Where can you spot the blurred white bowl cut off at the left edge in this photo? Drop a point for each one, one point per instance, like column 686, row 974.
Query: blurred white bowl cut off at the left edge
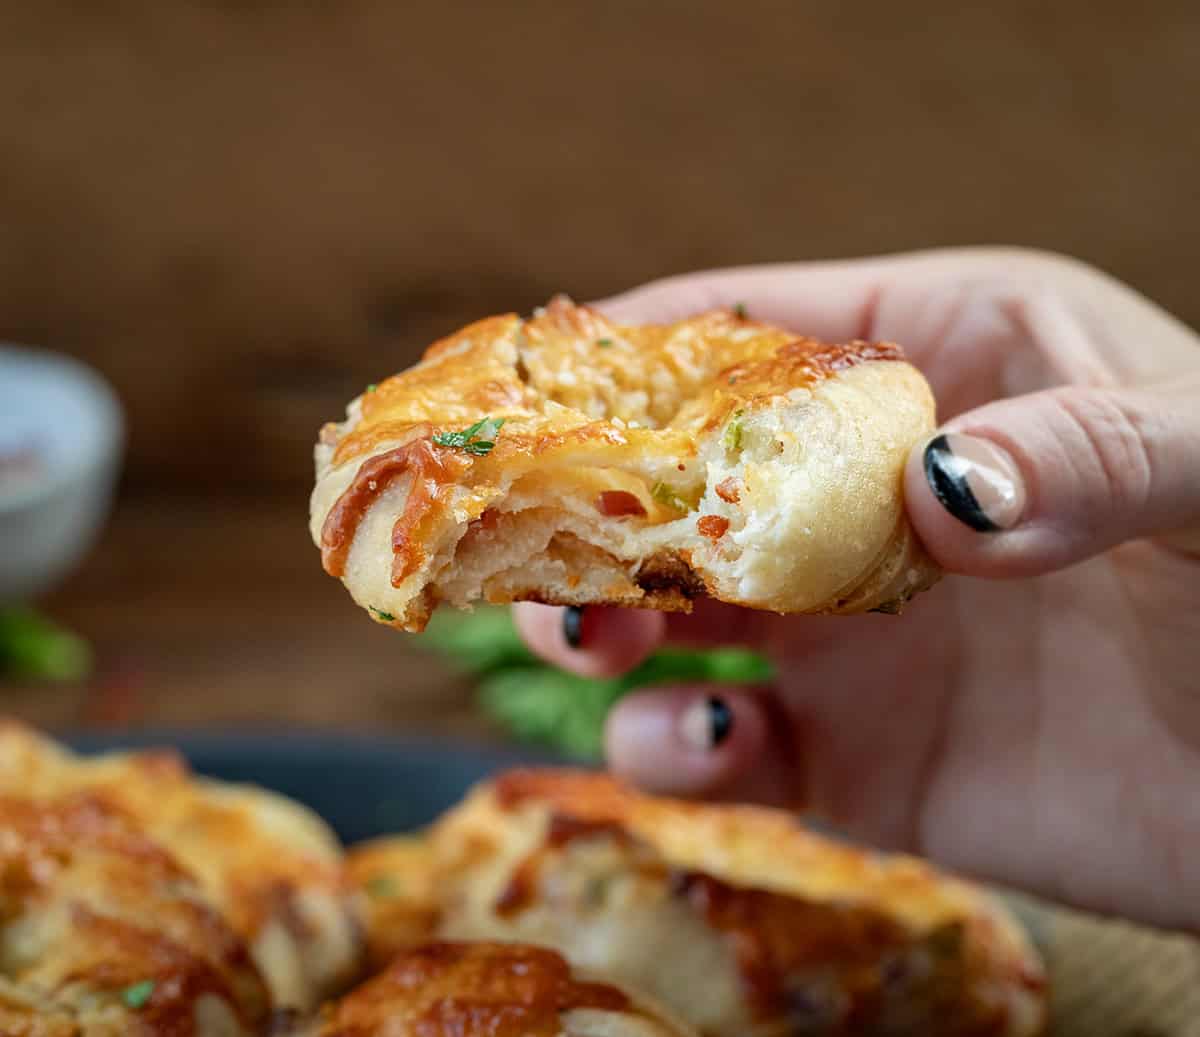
column 61, row 443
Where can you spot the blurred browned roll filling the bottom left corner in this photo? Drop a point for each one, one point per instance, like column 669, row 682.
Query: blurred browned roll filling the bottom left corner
column 104, row 934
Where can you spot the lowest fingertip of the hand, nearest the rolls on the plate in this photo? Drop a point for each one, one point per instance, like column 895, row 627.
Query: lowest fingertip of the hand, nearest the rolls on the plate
column 704, row 742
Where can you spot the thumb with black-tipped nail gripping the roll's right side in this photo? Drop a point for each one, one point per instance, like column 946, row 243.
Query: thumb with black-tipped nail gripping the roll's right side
column 1036, row 483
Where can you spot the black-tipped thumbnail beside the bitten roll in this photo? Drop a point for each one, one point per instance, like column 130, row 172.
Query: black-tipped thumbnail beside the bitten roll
column 976, row 481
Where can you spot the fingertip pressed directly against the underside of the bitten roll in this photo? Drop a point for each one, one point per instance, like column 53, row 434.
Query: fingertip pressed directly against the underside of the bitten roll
column 592, row 643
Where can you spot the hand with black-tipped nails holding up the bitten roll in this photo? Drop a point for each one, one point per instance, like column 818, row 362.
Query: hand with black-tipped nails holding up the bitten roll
column 1041, row 732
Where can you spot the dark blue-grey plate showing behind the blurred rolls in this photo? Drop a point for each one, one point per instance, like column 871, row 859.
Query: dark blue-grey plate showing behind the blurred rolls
column 363, row 787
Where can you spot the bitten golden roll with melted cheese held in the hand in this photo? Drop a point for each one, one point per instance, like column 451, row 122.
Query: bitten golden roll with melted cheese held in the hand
column 569, row 460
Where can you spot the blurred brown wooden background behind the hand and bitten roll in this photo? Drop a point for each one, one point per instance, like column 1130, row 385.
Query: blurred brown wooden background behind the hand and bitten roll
column 242, row 213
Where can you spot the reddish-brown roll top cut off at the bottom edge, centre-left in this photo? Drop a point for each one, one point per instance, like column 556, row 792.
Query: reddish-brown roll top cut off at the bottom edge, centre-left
column 489, row 991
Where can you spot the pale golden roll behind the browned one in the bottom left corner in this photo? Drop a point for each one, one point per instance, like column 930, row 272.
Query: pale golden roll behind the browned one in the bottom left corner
column 271, row 868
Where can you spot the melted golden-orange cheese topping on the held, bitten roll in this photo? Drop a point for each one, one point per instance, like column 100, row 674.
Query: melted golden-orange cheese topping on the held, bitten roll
column 562, row 381
